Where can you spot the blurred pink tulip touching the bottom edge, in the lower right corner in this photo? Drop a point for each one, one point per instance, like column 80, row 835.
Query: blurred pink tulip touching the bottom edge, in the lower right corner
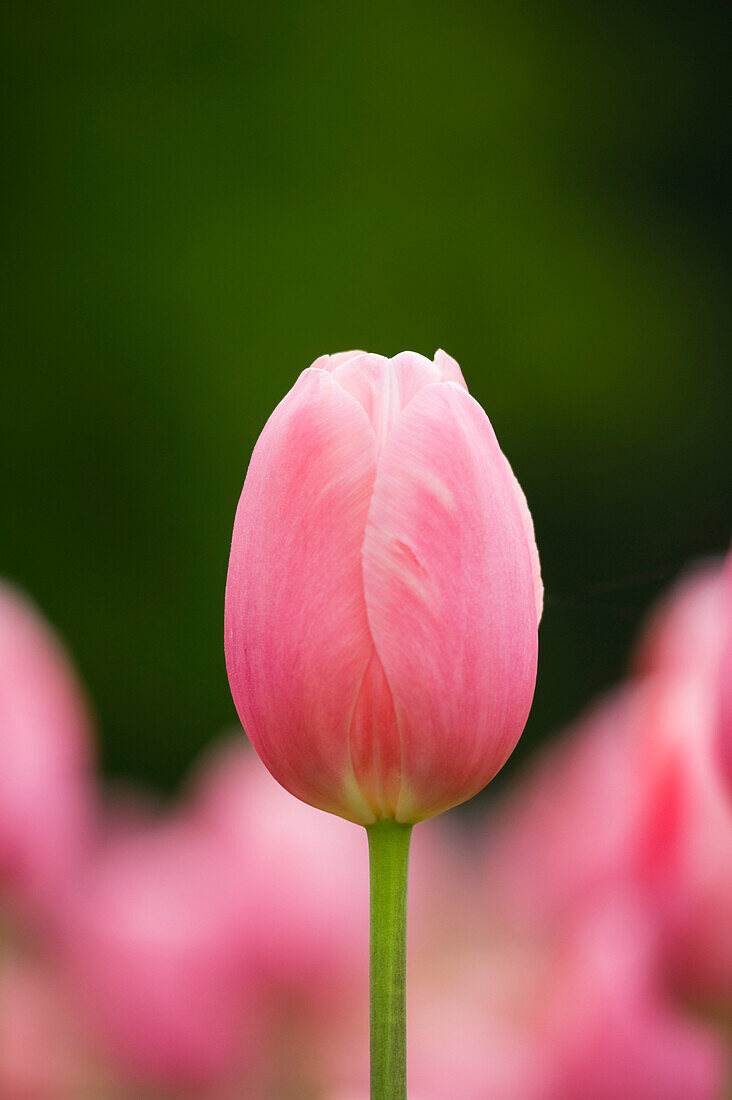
column 609, row 1026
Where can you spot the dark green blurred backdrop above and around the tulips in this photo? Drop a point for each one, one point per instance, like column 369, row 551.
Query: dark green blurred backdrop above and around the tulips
column 200, row 200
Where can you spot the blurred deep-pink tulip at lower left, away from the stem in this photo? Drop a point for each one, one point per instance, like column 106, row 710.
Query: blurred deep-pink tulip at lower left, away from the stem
column 150, row 940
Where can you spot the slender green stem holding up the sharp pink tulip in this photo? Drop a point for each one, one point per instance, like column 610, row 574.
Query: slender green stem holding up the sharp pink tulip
column 389, row 856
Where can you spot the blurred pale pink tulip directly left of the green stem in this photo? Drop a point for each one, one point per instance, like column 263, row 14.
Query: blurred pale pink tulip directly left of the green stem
column 298, row 878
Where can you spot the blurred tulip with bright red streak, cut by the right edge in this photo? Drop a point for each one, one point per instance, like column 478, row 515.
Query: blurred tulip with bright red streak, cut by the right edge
column 685, row 835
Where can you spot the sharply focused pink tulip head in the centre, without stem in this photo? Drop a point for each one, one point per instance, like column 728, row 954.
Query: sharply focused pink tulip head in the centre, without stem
column 384, row 592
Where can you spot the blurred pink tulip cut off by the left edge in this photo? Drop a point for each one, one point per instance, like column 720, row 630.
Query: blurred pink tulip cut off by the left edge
column 46, row 784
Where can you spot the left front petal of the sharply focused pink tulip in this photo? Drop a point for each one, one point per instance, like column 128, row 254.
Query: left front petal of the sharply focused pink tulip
column 298, row 640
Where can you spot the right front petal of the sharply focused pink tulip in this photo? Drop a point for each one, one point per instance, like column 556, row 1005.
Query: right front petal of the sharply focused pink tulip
column 451, row 597
